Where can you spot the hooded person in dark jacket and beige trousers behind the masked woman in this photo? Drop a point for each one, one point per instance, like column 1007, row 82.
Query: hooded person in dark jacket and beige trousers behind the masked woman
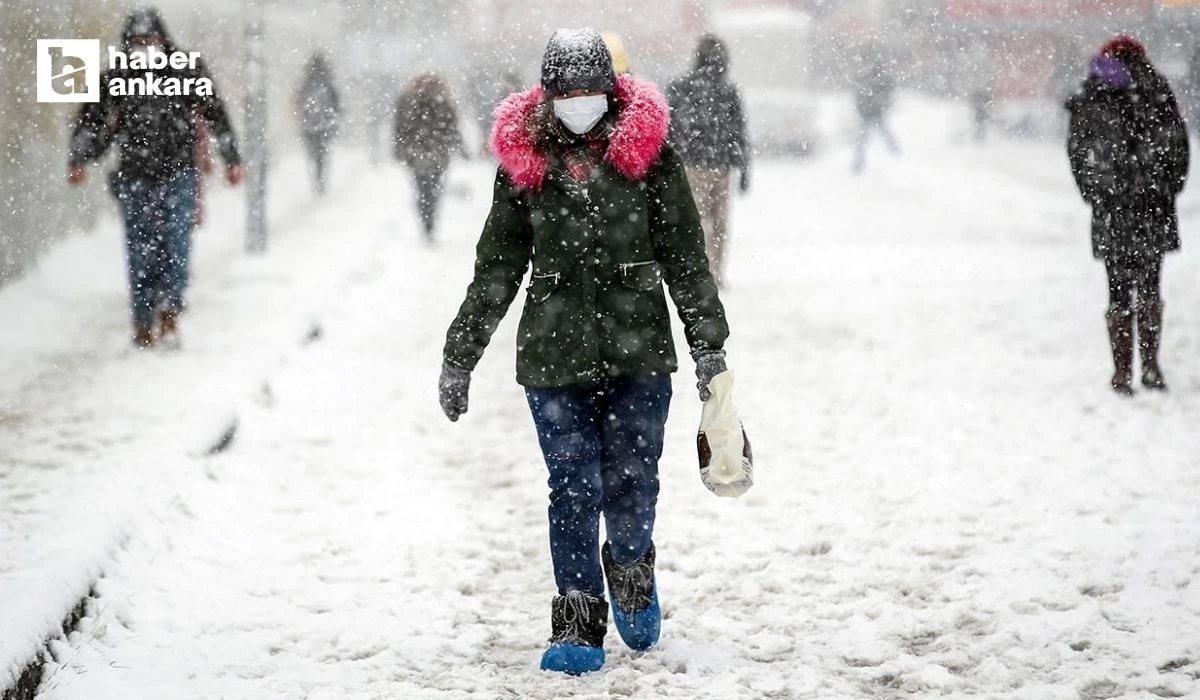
column 709, row 130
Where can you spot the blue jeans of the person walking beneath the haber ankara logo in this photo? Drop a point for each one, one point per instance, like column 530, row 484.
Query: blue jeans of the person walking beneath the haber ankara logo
column 159, row 223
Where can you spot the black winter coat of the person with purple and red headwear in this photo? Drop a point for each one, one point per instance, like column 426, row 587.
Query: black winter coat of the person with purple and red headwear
column 1130, row 155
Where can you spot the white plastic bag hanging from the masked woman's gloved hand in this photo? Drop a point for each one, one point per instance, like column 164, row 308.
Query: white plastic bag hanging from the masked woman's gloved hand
column 727, row 464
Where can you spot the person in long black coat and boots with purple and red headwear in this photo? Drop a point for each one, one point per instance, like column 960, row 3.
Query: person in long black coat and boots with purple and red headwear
column 1129, row 149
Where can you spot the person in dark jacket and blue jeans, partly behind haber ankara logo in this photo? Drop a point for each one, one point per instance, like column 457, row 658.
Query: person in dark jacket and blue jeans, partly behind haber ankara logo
column 157, row 177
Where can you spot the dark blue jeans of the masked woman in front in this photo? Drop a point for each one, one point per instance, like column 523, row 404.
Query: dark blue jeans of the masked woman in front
column 602, row 445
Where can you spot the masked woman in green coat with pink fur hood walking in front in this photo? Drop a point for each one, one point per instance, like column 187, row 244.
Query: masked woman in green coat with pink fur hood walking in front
column 591, row 194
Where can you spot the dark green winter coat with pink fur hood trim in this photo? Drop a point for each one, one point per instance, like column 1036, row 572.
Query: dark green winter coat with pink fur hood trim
column 601, row 252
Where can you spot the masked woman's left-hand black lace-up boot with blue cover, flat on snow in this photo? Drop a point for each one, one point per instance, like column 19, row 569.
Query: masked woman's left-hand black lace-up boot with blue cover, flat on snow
column 579, row 624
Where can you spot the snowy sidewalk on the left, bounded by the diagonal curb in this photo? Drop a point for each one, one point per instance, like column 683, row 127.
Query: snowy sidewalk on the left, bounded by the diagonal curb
column 93, row 433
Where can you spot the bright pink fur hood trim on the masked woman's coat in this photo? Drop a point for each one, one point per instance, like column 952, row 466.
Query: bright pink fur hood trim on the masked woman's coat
column 634, row 147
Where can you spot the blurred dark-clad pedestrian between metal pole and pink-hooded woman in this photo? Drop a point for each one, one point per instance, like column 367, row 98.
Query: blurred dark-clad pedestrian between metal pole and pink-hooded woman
column 425, row 139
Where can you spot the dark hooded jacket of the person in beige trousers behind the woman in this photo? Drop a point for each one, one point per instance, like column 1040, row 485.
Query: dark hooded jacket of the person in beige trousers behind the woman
column 709, row 127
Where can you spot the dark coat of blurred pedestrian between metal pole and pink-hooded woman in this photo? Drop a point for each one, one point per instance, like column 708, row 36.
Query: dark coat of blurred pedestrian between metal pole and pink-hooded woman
column 427, row 128
